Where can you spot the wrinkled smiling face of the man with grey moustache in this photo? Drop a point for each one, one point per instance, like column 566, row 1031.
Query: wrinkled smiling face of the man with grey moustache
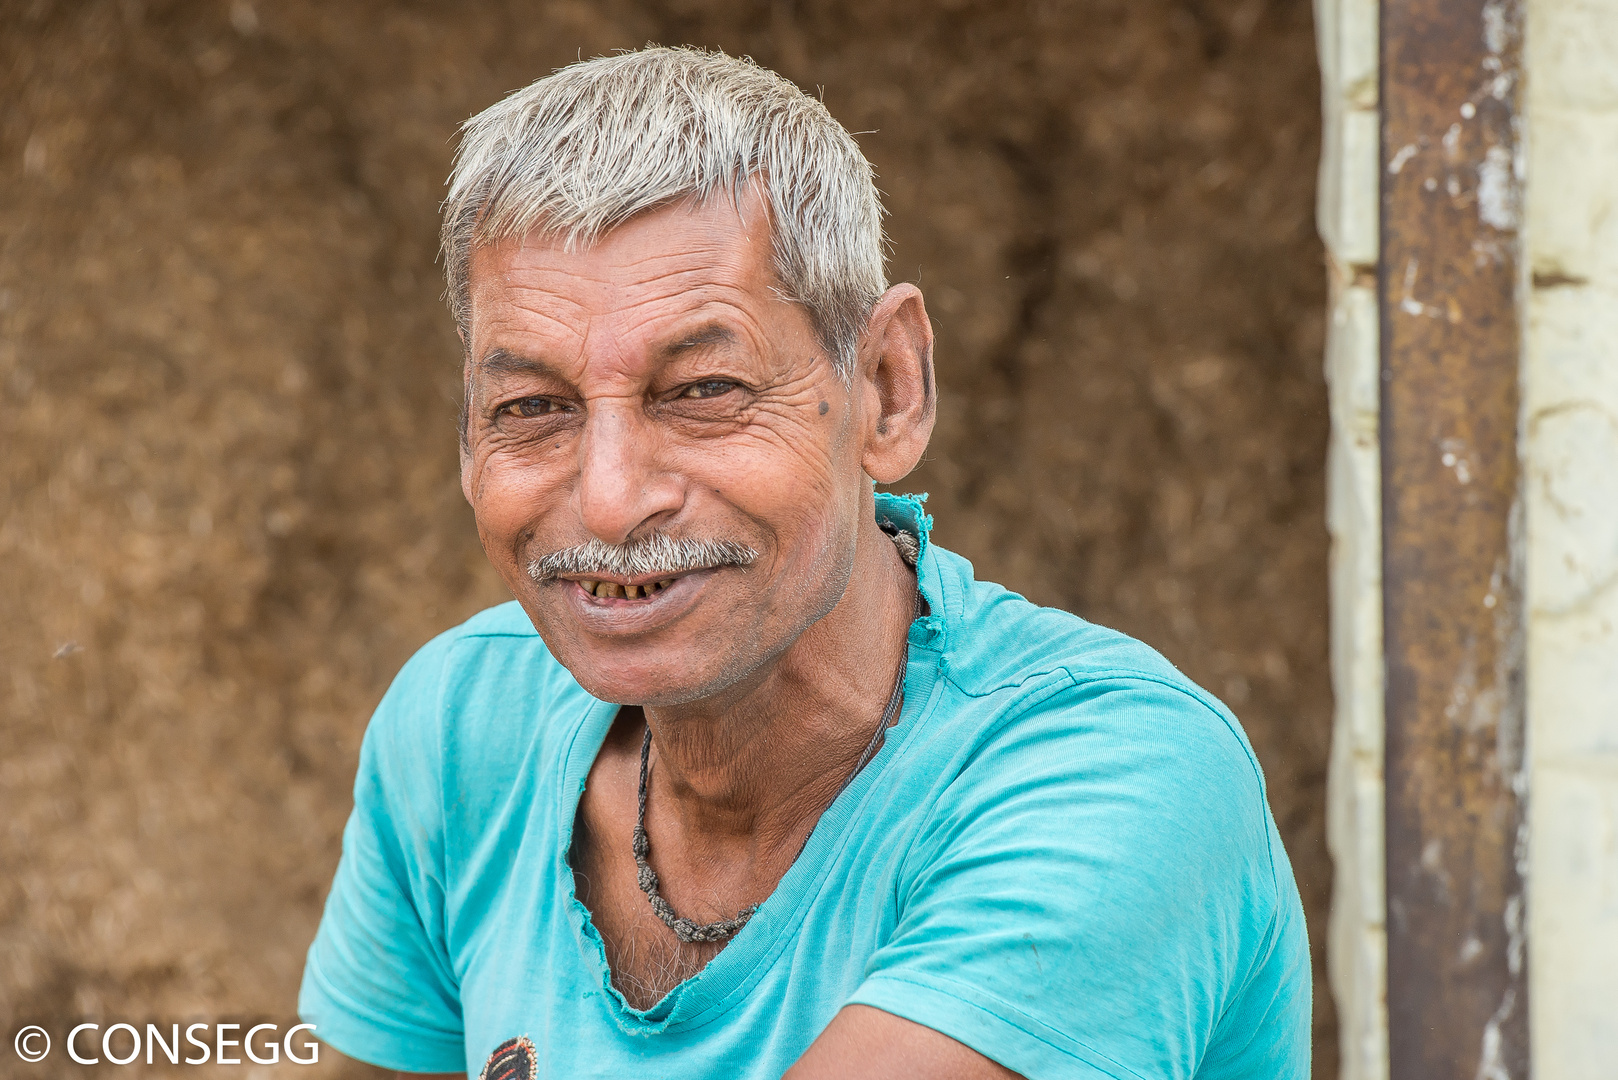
column 656, row 385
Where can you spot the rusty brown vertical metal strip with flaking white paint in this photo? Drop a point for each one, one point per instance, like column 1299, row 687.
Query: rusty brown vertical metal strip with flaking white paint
column 1449, row 281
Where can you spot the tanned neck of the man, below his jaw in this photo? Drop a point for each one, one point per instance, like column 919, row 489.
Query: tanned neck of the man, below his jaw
column 756, row 767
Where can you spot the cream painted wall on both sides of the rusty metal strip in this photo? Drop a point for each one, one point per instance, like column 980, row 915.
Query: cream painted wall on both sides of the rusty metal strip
column 1570, row 381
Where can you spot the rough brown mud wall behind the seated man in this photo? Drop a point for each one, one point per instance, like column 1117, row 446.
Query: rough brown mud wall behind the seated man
column 229, row 504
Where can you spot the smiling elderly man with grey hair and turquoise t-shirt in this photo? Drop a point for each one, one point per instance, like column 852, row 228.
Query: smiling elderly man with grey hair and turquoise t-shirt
column 753, row 780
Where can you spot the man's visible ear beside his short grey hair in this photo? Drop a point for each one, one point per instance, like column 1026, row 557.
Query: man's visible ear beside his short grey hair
column 896, row 383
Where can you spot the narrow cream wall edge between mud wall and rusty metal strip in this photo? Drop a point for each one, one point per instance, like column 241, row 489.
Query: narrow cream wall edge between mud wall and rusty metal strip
column 1349, row 216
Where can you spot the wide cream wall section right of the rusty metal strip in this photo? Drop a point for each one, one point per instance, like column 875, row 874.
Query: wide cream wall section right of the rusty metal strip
column 1572, row 493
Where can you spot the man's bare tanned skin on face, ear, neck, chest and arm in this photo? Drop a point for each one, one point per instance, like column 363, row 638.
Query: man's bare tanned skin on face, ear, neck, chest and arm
column 659, row 381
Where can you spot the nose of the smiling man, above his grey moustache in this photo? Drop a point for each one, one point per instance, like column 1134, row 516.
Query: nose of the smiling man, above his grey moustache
column 622, row 487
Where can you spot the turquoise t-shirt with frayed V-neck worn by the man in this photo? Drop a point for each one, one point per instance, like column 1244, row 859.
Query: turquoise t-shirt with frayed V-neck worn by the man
column 1062, row 857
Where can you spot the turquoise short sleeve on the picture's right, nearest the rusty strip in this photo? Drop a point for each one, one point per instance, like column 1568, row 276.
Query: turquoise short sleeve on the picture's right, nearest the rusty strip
column 1091, row 893
